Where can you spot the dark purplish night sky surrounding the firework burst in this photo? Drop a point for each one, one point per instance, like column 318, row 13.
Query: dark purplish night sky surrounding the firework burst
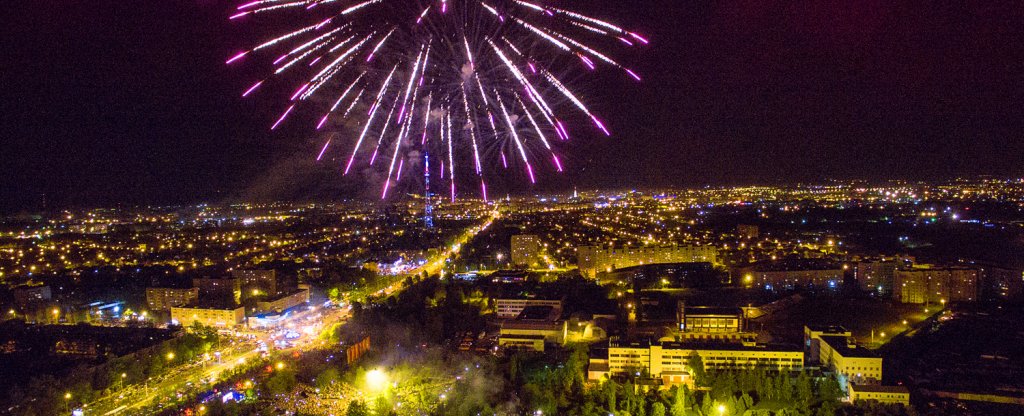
column 130, row 102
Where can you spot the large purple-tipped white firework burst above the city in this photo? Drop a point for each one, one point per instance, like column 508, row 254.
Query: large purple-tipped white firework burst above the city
column 443, row 79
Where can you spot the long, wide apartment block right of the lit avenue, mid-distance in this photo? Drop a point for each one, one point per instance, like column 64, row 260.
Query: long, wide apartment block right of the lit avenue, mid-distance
column 594, row 260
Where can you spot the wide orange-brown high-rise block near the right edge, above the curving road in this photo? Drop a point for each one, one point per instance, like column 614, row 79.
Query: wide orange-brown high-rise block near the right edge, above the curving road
column 936, row 285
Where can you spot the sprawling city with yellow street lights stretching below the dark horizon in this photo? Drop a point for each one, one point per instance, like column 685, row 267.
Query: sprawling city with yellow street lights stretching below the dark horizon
column 848, row 298
